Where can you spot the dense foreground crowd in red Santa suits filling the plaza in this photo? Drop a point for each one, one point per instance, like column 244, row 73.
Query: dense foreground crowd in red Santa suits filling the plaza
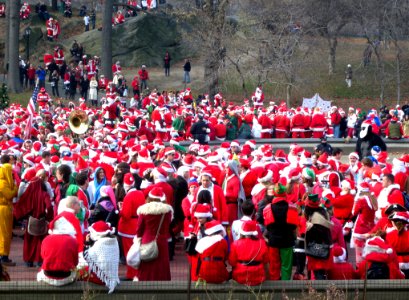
column 113, row 184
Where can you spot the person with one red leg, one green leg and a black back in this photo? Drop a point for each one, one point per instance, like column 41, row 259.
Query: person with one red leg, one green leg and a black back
column 281, row 220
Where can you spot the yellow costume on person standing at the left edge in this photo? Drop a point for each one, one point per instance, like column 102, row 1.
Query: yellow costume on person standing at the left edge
column 8, row 190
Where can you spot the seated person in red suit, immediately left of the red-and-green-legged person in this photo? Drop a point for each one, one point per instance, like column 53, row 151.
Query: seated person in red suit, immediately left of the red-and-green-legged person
column 248, row 256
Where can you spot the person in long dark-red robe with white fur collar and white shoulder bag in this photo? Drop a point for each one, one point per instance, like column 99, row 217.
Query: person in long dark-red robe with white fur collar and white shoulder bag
column 152, row 233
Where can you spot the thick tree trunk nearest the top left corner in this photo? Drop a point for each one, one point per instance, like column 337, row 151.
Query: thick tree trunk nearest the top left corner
column 13, row 79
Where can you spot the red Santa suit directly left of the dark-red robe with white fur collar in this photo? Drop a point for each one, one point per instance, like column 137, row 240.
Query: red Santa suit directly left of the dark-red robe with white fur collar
column 128, row 221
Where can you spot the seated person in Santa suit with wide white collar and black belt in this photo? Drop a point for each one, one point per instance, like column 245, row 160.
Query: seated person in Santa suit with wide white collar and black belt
column 212, row 252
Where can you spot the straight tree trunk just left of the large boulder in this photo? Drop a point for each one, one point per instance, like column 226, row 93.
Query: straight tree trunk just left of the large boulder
column 106, row 42
